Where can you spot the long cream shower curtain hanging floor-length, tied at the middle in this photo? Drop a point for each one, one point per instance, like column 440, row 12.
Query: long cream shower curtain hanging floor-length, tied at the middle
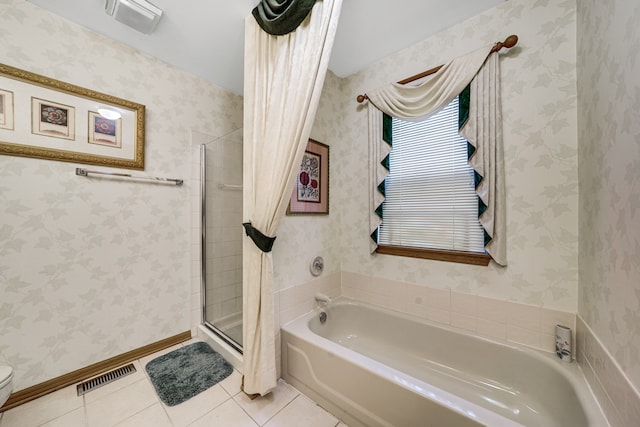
column 283, row 76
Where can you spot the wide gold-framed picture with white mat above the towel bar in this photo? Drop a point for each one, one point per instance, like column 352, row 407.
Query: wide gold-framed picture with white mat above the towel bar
column 49, row 119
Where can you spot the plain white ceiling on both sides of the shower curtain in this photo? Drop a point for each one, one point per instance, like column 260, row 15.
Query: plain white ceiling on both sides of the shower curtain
column 205, row 37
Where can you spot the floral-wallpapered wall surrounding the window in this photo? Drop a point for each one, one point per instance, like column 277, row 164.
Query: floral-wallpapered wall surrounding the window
column 539, row 108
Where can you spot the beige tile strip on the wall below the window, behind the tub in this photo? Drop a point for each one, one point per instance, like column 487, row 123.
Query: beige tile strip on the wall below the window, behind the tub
column 529, row 325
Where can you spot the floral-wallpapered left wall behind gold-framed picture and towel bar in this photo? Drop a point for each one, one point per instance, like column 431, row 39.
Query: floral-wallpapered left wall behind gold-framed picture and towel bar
column 92, row 268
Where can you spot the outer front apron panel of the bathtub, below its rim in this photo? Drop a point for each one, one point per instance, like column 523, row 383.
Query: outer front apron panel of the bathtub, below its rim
column 352, row 393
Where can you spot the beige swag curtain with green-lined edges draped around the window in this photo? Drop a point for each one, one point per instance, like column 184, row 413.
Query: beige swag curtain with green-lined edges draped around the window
column 416, row 102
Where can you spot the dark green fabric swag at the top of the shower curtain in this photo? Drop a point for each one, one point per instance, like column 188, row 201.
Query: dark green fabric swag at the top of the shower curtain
column 280, row 17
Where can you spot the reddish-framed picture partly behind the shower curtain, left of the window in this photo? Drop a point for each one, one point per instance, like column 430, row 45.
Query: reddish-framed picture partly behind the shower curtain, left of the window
column 310, row 193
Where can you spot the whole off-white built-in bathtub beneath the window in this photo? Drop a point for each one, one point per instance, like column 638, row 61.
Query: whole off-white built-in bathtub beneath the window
column 373, row 367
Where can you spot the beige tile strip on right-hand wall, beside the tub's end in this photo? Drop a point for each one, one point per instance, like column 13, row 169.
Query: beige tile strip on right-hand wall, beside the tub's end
column 618, row 398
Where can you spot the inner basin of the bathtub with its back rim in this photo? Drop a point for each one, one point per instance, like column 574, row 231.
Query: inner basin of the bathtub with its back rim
column 526, row 386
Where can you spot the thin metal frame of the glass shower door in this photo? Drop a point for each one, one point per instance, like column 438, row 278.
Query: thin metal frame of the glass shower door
column 203, row 254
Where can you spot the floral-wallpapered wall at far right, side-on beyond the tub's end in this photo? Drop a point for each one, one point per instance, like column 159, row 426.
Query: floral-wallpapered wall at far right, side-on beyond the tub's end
column 609, row 157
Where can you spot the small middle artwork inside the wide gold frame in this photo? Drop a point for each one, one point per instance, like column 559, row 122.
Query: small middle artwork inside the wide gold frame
column 52, row 119
